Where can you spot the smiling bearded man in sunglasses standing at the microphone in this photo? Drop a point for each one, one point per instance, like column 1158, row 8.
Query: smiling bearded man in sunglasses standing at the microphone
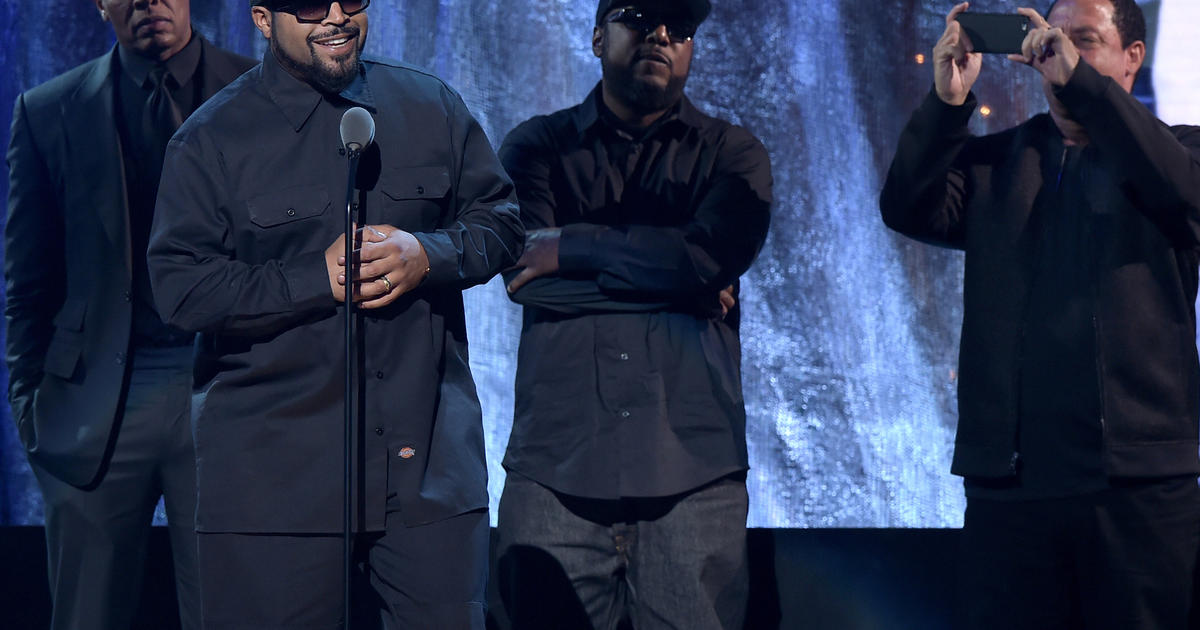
column 248, row 251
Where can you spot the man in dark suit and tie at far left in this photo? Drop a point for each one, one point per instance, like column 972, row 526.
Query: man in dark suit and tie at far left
column 99, row 386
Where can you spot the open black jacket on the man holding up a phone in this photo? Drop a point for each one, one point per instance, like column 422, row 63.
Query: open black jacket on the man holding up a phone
column 1143, row 200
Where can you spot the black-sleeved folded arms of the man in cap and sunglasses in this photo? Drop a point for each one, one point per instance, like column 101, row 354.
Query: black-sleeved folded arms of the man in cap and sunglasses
column 647, row 268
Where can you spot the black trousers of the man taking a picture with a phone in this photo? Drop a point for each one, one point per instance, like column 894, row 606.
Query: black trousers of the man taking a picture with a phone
column 1120, row 560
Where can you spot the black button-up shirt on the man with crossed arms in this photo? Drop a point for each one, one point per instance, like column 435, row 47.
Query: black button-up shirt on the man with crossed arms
column 629, row 381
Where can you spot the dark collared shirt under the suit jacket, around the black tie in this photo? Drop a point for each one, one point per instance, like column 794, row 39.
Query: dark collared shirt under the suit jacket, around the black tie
column 143, row 165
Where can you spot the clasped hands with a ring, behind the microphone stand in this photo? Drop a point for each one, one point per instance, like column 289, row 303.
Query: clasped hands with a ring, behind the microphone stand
column 391, row 263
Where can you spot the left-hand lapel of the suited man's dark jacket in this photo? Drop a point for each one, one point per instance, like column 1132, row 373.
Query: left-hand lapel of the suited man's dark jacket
column 92, row 136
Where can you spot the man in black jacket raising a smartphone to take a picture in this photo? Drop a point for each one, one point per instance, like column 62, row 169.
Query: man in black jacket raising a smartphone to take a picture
column 1078, row 395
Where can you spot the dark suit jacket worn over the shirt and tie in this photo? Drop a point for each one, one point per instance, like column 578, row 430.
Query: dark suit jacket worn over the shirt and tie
column 68, row 263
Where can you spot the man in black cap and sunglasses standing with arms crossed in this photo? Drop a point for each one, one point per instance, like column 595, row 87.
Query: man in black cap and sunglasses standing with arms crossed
column 626, row 496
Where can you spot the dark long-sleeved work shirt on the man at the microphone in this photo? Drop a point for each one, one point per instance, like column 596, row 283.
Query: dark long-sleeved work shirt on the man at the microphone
column 253, row 195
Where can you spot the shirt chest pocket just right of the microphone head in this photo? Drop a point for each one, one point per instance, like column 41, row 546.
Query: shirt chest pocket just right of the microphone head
column 415, row 199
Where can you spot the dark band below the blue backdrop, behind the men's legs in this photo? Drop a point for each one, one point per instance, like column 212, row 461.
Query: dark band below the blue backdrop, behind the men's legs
column 801, row 579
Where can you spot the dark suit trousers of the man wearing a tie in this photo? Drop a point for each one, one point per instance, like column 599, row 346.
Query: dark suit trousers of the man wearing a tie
column 97, row 537
